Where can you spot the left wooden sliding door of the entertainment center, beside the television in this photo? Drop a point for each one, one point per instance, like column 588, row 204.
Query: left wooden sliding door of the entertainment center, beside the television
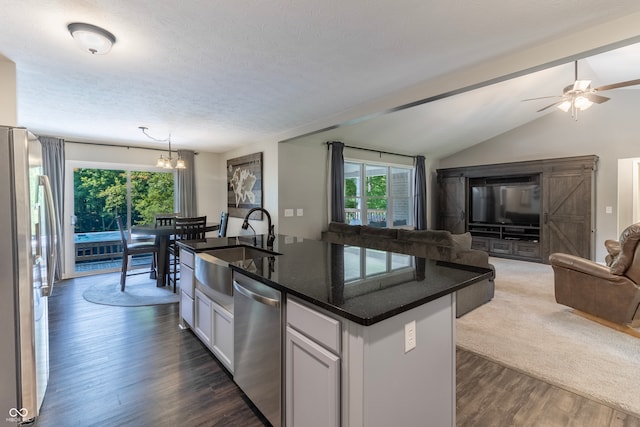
column 451, row 204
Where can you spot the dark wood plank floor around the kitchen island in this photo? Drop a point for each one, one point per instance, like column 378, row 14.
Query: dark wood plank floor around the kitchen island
column 133, row 366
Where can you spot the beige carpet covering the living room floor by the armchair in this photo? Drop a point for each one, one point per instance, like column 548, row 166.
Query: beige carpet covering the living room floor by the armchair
column 525, row 329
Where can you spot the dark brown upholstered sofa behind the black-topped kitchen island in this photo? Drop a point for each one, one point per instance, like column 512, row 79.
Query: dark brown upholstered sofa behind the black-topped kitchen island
column 434, row 244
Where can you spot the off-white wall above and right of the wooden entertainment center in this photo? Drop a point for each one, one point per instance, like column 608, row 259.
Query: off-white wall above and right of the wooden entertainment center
column 610, row 131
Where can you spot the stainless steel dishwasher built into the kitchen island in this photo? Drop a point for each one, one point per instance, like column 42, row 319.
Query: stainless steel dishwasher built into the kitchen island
column 258, row 344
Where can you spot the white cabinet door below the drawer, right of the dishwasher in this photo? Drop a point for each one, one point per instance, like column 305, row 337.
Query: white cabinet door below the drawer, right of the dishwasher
column 312, row 383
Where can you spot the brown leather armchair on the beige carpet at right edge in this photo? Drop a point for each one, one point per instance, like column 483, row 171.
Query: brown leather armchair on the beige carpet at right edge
column 610, row 292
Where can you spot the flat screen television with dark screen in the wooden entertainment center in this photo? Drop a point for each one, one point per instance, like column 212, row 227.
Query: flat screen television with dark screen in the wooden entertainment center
column 510, row 203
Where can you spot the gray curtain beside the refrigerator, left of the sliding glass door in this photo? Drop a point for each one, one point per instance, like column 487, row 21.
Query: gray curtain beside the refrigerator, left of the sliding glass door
column 53, row 167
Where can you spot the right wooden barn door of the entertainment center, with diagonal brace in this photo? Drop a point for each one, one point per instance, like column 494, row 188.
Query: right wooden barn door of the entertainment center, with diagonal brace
column 567, row 219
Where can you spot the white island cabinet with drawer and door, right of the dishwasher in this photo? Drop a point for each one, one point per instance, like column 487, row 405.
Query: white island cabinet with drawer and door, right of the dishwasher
column 312, row 386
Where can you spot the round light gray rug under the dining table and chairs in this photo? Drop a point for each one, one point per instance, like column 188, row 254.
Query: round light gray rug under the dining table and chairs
column 139, row 291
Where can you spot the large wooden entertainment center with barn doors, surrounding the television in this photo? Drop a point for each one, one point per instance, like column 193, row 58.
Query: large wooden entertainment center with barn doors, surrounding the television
column 524, row 210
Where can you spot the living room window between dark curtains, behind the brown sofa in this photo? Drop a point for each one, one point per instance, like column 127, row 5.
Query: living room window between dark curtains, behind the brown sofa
column 378, row 195
